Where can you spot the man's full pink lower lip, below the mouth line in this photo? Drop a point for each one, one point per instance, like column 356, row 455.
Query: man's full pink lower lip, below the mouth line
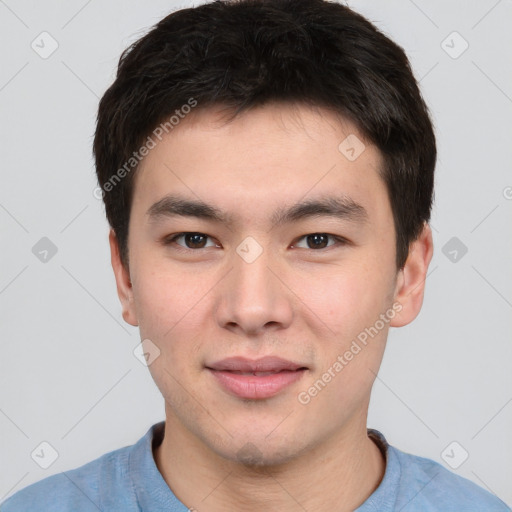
column 254, row 387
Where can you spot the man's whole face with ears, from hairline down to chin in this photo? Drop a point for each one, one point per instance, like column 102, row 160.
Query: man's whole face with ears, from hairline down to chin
column 270, row 302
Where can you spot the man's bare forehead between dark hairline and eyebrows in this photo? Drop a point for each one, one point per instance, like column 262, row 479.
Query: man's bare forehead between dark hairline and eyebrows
column 267, row 156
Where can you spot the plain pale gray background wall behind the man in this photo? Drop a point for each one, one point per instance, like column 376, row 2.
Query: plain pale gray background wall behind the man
column 68, row 375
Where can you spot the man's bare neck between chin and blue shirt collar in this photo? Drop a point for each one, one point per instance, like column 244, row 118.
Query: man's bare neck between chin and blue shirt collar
column 338, row 474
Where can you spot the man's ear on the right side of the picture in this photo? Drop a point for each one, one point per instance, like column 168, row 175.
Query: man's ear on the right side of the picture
column 410, row 285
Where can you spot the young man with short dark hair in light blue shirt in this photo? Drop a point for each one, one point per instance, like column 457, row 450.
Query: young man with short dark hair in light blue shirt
column 267, row 172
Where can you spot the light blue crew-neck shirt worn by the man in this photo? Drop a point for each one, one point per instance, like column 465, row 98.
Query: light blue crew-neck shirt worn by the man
column 127, row 480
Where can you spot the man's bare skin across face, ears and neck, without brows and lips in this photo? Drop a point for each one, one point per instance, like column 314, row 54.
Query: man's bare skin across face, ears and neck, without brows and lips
column 295, row 301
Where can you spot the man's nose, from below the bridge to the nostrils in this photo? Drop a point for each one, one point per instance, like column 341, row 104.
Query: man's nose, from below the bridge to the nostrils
column 253, row 298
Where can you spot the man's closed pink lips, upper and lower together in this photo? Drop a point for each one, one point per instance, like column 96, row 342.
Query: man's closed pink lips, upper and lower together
column 275, row 374
